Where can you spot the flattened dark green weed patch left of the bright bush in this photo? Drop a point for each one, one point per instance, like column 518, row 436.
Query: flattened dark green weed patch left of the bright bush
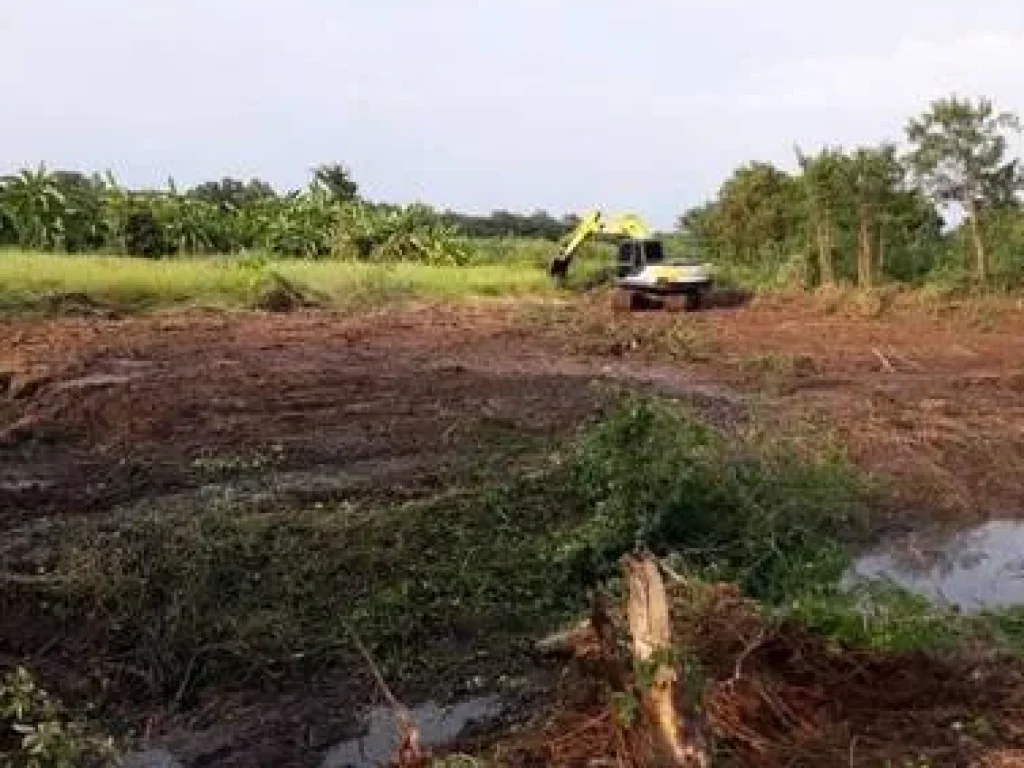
column 230, row 593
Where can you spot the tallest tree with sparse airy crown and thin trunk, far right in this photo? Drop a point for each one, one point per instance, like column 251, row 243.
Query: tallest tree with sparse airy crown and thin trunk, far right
column 960, row 155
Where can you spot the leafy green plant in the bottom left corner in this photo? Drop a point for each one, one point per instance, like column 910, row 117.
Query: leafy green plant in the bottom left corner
column 36, row 733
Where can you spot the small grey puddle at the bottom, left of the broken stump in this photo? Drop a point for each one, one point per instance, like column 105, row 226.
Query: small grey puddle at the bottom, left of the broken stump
column 438, row 727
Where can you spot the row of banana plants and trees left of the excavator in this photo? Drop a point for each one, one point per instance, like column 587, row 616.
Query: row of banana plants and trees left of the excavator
column 74, row 212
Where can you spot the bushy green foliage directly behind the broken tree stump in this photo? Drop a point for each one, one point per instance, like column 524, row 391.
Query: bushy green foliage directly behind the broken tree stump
column 761, row 515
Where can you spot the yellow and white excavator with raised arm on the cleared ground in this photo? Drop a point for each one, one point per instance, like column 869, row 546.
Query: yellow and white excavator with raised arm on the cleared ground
column 644, row 277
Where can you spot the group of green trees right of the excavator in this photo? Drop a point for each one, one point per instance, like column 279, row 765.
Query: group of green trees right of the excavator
column 876, row 212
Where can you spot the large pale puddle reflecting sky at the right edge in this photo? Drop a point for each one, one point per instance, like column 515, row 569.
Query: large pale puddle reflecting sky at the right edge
column 971, row 570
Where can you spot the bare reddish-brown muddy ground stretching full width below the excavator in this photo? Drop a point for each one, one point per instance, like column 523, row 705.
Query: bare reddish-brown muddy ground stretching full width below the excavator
column 103, row 415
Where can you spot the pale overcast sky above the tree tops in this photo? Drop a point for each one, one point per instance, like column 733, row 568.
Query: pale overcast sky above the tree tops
column 565, row 105
